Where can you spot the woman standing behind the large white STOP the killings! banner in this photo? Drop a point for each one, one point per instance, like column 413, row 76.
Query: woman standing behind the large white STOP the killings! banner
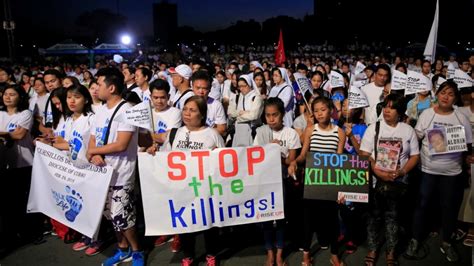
column 195, row 135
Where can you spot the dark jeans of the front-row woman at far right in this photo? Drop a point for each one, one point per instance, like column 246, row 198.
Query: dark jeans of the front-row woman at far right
column 448, row 191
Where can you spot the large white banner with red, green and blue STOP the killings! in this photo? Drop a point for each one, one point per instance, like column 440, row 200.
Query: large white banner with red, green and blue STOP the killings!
column 189, row 191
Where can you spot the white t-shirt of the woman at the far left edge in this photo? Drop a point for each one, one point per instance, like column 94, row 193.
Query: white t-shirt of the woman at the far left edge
column 21, row 154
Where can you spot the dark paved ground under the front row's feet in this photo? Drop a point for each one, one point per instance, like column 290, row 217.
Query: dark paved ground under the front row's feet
column 238, row 250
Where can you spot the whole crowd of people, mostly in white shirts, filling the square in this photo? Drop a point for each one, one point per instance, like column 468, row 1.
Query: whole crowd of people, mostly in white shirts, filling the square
column 242, row 104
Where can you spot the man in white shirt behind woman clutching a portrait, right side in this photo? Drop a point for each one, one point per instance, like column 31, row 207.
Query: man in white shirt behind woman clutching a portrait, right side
column 374, row 90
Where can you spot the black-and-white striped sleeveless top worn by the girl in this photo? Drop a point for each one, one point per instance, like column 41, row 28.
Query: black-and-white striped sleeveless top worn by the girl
column 324, row 141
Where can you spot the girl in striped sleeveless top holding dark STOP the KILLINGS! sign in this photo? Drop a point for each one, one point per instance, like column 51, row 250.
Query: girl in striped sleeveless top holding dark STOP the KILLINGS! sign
column 328, row 138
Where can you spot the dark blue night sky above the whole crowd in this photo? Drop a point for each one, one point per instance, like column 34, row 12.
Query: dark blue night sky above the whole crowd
column 48, row 21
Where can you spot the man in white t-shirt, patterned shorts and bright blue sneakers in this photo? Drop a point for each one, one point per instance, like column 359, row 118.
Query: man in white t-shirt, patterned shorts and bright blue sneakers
column 115, row 144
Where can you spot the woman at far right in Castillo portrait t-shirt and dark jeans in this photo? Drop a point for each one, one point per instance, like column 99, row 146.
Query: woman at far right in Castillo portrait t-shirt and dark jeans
column 441, row 173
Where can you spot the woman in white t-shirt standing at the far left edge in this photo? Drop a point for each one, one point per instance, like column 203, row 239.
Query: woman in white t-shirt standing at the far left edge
column 15, row 125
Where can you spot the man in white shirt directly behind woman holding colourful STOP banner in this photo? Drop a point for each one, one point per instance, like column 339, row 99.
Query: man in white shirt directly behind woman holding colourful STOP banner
column 215, row 111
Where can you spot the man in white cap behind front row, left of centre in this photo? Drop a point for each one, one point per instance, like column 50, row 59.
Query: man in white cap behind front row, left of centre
column 180, row 76
